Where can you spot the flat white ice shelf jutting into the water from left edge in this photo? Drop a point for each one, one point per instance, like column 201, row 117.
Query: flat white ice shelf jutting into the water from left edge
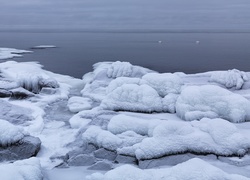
column 8, row 53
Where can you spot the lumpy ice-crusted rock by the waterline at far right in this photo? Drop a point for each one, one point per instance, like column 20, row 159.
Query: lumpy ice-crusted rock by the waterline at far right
column 231, row 78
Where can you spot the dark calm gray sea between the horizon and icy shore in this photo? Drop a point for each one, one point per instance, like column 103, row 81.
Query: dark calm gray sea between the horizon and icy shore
column 77, row 51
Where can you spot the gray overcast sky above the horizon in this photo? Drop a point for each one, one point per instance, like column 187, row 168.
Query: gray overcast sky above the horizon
column 125, row 14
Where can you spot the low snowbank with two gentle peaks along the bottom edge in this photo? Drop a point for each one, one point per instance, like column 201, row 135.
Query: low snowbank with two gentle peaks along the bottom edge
column 195, row 169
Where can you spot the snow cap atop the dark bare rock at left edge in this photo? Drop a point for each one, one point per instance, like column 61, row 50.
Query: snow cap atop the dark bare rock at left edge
column 9, row 134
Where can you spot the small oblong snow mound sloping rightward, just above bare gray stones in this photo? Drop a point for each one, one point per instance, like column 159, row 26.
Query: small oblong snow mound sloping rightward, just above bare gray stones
column 102, row 138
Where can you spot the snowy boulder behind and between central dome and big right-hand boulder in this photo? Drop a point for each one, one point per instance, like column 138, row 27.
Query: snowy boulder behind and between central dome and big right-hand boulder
column 164, row 83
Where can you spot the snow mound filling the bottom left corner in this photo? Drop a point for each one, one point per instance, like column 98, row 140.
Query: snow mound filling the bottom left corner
column 29, row 169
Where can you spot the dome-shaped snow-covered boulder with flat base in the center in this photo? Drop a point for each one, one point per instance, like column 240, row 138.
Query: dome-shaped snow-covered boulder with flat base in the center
column 132, row 97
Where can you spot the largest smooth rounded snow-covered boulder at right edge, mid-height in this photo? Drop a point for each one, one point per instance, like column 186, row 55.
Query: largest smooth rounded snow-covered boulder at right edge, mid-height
column 196, row 102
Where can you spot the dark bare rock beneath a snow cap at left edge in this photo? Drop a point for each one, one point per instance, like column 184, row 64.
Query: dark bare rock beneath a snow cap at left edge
column 25, row 148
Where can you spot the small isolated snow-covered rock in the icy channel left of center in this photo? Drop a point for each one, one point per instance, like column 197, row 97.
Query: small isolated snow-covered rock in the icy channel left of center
column 77, row 104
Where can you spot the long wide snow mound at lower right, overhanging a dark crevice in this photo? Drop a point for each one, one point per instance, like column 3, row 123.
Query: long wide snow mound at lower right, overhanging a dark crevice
column 202, row 137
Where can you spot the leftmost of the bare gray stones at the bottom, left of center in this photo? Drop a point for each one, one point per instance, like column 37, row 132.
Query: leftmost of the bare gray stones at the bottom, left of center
column 82, row 160
